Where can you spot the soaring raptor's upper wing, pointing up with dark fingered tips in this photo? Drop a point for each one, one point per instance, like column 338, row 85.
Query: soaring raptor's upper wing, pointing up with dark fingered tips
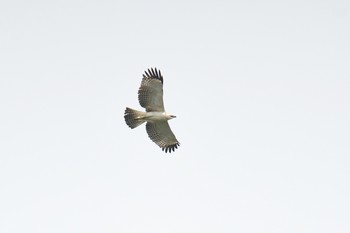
column 151, row 91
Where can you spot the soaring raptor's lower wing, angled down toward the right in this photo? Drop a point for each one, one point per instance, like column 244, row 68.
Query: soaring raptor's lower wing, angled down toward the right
column 160, row 133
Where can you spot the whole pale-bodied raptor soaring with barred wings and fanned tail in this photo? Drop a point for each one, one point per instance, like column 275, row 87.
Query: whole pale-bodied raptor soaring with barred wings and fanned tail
column 151, row 98
